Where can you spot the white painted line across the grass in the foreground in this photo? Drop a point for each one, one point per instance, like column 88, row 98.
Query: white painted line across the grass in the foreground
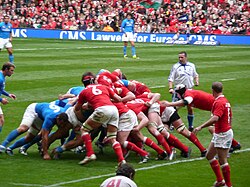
column 112, row 174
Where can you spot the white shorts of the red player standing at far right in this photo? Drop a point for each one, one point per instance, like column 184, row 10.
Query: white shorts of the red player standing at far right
column 223, row 140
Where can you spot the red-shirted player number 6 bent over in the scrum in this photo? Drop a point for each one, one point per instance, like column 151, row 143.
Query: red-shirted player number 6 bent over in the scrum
column 105, row 113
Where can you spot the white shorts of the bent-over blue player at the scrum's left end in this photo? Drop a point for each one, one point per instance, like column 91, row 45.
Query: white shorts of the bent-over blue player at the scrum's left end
column 29, row 115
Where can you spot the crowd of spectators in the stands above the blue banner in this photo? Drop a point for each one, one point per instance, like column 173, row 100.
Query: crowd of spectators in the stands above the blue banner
column 200, row 16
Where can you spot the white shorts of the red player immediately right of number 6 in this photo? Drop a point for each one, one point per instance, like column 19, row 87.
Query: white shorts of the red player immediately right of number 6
column 127, row 121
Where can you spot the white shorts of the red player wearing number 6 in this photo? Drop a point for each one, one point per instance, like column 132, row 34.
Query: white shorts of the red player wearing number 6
column 106, row 115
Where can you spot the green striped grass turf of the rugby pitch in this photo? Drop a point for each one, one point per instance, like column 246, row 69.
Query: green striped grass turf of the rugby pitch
column 46, row 68
